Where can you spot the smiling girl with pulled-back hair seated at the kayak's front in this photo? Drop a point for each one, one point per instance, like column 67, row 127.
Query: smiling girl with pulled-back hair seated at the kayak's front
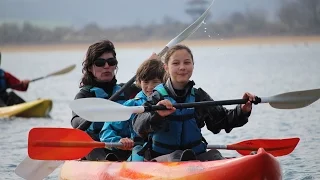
column 175, row 135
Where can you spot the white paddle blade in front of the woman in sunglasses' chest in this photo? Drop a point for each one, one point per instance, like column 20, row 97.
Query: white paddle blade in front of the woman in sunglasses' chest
column 103, row 110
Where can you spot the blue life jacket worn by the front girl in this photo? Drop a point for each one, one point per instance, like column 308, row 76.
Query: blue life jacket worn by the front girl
column 180, row 131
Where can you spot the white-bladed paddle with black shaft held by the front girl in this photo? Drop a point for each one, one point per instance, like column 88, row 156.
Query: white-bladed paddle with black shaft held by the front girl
column 102, row 110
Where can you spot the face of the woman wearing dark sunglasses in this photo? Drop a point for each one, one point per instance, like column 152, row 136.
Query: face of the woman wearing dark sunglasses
column 106, row 72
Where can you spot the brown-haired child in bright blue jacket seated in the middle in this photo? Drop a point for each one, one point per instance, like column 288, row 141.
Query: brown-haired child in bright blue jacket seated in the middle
column 149, row 75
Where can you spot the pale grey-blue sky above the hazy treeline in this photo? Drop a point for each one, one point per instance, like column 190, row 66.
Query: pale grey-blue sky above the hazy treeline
column 117, row 13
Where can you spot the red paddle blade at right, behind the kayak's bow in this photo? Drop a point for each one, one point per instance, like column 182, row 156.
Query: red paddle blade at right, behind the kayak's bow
column 276, row 147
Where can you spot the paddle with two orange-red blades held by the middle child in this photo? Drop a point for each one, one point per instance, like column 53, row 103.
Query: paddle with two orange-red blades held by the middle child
column 70, row 144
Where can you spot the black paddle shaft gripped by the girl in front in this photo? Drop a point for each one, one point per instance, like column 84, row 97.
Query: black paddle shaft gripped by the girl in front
column 202, row 103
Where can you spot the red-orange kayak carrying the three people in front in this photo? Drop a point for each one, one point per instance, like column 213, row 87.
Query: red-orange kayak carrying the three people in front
column 260, row 166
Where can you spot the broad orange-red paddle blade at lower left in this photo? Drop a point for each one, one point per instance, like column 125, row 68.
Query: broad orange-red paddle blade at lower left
column 40, row 135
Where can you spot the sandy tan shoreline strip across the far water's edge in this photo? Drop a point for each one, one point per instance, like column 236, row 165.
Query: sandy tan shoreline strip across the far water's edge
column 148, row 44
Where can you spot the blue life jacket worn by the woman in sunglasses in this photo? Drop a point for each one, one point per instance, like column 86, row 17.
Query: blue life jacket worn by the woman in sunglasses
column 96, row 127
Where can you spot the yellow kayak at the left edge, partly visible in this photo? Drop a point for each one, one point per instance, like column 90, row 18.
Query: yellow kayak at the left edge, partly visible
column 36, row 108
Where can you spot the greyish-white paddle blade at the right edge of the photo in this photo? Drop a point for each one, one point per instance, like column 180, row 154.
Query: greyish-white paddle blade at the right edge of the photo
column 293, row 100
